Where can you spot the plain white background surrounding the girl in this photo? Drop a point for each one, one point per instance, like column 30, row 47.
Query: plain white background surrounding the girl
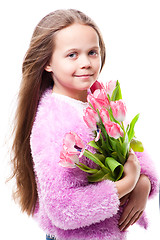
column 131, row 33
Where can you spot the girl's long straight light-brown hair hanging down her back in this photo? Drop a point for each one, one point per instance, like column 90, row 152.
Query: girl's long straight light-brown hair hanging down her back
column 35, row 80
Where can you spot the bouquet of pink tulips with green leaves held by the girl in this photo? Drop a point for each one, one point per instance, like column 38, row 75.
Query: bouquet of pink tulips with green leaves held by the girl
column 105, row 116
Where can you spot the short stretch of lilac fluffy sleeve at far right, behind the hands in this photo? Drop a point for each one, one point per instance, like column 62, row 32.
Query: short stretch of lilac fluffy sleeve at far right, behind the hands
column 148, row 169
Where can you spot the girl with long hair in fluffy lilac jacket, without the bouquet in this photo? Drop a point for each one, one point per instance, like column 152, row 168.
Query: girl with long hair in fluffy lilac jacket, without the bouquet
column 64, row 59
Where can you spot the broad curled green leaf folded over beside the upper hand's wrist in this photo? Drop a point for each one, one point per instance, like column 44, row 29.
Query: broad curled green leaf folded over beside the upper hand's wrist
column 116, row 167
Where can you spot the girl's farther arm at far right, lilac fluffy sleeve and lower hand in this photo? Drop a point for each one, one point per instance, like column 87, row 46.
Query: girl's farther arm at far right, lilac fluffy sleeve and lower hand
column 146, row 187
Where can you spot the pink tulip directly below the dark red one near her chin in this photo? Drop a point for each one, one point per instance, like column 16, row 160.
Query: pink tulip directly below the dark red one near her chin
column 98, row 99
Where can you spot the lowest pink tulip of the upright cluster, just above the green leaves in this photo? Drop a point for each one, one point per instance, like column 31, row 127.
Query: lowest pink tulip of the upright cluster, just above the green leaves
column 113, row 129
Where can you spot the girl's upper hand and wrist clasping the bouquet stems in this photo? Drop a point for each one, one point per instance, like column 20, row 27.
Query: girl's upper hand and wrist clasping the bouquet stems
column 131, row 176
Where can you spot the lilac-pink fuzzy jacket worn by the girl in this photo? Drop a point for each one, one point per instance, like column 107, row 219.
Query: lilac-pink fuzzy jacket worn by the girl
column 68, row 207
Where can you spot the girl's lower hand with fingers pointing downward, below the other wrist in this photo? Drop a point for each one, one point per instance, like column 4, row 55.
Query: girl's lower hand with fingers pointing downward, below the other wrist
column 137, row 200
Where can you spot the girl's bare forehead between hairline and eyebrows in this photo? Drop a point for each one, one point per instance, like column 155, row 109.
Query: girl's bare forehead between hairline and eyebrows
column 76, row 35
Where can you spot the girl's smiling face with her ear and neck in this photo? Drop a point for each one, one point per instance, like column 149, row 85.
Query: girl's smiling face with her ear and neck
column 76, row 61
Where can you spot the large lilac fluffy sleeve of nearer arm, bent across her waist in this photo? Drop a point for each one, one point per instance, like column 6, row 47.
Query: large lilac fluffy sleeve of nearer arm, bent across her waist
column 65, row 194
